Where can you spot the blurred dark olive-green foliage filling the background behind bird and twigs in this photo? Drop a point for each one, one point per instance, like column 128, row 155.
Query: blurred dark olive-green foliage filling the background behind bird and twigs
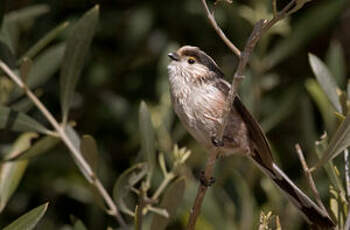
column 133, row 145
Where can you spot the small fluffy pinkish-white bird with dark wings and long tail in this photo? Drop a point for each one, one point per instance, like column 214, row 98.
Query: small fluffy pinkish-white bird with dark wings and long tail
column 198, row 94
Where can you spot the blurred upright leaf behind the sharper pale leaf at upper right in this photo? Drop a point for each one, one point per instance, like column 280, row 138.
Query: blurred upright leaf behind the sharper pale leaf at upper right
column 336, row 62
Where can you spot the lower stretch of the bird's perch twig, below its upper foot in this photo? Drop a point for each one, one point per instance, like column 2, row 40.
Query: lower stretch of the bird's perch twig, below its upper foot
column 202, row 190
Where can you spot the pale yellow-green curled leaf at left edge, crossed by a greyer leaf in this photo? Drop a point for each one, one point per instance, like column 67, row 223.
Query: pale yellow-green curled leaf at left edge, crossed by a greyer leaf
column 11, row 172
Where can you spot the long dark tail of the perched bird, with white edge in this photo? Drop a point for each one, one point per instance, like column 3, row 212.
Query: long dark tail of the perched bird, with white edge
column 311, row 212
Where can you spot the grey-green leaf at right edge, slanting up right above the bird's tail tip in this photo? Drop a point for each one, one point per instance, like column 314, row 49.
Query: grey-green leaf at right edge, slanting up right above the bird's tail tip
column 339, row 142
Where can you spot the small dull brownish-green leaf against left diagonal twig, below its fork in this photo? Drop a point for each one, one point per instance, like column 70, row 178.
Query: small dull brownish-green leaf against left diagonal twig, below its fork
column 89, row 150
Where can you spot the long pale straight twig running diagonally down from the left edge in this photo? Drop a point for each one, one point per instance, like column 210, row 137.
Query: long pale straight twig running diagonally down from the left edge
column 84, row 166
